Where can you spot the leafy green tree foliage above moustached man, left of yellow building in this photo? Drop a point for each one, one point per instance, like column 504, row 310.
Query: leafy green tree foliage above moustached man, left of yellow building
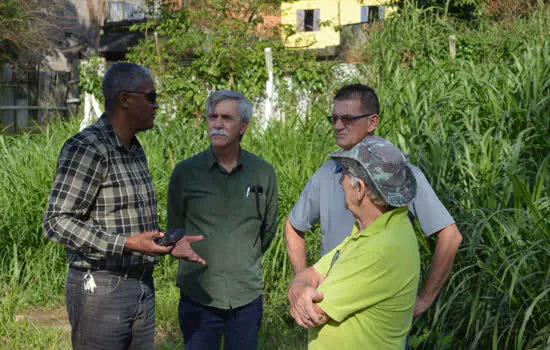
column 219, row 44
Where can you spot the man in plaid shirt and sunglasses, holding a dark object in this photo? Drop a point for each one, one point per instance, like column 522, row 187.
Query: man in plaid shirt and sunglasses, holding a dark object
column 103, row 209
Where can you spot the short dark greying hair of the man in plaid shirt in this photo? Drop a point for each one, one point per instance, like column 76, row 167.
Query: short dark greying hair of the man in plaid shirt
column 120, row 77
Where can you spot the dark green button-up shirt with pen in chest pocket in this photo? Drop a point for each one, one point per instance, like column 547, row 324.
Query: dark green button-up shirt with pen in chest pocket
column 237, row 214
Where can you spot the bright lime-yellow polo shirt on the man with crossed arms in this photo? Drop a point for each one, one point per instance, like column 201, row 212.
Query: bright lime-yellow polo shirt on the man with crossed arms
column 370, row 287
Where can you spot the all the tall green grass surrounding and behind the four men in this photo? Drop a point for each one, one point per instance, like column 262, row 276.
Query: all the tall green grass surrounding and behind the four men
column 479, row 128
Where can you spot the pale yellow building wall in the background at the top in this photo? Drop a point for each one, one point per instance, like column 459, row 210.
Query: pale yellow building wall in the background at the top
column 332, row 13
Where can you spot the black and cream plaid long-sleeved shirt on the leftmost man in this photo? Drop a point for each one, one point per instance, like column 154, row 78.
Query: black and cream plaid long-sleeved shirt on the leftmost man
column 102, row 193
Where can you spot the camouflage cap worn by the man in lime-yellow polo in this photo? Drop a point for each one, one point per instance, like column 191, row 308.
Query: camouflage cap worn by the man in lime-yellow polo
column 380, row 161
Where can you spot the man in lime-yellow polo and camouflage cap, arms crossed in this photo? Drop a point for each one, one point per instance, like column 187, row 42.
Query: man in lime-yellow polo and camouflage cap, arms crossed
column 361, row 294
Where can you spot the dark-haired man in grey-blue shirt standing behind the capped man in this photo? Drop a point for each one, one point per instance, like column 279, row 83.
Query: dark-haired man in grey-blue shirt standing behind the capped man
column 355, row 116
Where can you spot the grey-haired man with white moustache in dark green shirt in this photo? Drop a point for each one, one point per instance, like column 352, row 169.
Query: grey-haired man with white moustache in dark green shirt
column 229, row 196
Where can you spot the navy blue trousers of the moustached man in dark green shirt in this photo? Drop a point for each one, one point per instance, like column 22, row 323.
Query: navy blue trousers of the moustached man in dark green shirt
column 203, row 326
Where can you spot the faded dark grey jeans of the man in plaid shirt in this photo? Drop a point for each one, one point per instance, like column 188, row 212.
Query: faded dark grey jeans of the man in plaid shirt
column 119, row 314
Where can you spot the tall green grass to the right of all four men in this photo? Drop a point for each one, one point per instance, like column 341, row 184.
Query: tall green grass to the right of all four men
column 480, row 131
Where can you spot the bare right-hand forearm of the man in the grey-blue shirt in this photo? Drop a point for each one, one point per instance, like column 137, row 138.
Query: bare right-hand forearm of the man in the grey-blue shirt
column 448, row 241
